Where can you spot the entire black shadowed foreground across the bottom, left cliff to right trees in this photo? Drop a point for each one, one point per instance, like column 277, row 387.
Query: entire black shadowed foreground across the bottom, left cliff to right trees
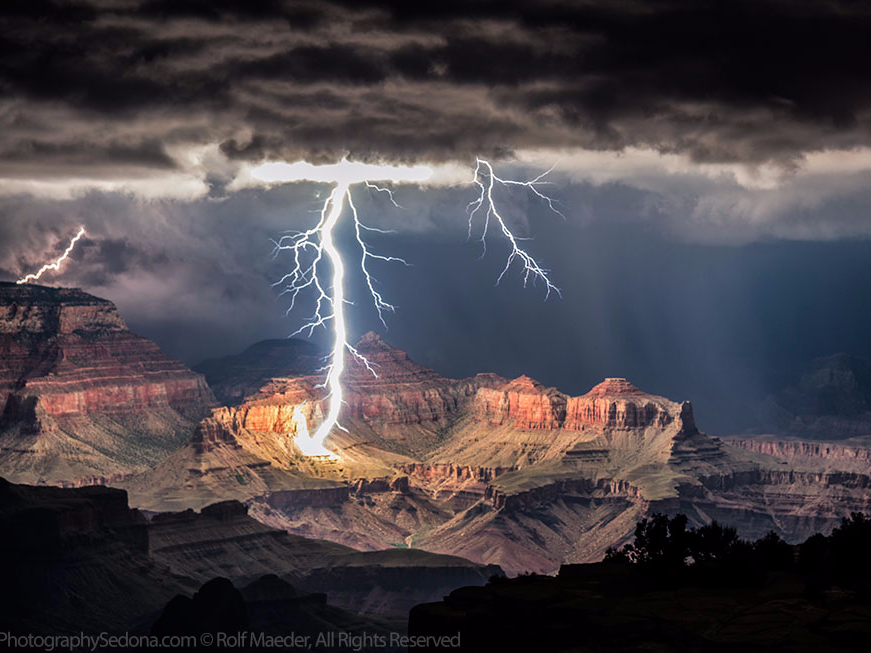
column 80, row 560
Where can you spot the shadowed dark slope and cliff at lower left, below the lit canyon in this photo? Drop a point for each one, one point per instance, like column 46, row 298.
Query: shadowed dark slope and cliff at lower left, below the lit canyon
column 79, row 559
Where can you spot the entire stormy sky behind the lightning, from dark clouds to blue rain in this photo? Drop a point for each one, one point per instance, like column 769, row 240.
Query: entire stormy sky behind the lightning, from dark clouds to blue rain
column 711, row 162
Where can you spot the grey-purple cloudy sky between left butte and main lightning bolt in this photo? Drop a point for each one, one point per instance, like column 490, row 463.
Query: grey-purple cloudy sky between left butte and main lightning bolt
column 195, row 275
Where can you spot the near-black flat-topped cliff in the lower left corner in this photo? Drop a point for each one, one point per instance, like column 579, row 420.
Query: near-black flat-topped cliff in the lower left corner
column 74, row 560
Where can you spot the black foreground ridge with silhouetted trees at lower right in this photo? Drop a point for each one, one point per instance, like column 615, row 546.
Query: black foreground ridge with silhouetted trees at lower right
column 676, row 589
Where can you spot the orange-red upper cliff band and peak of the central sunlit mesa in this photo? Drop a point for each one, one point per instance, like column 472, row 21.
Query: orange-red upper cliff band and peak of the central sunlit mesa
column 402, row 392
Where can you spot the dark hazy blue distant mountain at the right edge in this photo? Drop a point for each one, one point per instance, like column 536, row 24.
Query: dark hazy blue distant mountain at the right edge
column 830, row 401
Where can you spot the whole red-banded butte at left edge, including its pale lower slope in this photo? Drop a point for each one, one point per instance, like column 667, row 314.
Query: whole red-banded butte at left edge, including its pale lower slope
column 82, row 397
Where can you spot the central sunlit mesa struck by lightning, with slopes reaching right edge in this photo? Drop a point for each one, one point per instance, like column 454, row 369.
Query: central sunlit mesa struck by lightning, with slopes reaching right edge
column 500, row 471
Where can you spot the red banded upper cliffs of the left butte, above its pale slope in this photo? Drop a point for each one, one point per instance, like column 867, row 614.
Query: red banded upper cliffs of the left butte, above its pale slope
column 72, row 352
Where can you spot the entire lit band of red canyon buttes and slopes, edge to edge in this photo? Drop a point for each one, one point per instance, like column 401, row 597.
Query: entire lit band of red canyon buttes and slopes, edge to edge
column 497, row 471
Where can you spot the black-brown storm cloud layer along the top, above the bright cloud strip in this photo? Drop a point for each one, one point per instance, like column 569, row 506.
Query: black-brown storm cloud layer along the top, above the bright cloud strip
column 739, row 81
